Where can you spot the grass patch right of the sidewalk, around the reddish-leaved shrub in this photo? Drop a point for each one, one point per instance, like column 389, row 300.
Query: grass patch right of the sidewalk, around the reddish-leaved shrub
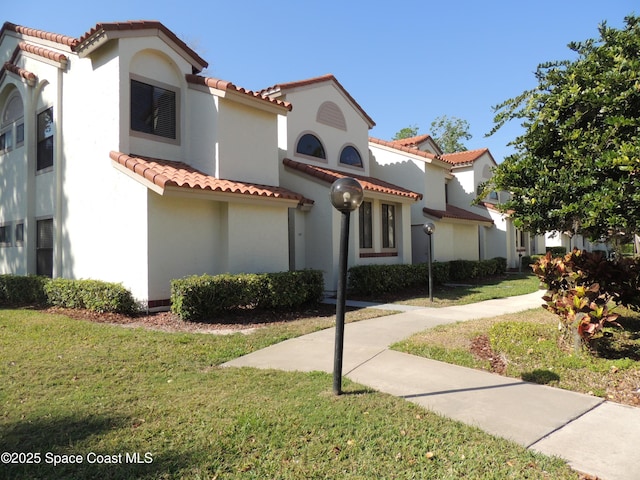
column 528, row 343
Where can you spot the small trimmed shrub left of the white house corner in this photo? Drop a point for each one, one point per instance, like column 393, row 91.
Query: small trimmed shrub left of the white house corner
column 93, row 295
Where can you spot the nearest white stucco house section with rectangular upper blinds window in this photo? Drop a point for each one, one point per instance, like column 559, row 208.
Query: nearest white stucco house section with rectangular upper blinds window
column 119, row 162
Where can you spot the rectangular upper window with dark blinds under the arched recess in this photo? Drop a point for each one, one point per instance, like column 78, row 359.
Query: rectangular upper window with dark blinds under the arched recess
column 153, row 110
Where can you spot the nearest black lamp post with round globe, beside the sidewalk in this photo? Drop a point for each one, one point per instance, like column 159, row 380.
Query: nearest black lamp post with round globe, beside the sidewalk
column 346, row 196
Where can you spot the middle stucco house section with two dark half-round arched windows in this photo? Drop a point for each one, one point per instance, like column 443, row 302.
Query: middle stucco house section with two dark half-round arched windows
column 325, row 137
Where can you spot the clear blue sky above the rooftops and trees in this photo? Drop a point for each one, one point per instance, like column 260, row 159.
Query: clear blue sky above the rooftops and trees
column 405, row 62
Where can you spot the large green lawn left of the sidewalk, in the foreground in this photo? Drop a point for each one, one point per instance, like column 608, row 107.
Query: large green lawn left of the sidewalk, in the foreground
column 72, row 387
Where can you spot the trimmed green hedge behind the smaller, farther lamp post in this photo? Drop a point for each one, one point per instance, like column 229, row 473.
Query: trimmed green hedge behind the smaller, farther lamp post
column 370, row 280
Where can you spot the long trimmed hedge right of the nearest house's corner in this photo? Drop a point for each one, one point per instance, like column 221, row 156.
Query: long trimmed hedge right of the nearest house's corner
column 205, row 296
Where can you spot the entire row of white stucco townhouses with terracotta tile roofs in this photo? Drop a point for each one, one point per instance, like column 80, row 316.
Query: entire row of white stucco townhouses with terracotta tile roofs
column 120, row 161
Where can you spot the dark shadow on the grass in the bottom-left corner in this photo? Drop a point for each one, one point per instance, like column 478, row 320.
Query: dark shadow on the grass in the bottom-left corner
column 57, row 439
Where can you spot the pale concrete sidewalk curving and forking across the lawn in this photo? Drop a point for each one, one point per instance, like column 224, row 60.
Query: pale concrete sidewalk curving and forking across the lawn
column 594, row 436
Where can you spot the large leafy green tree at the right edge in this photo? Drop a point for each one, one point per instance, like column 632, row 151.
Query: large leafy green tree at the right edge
column 577, row 165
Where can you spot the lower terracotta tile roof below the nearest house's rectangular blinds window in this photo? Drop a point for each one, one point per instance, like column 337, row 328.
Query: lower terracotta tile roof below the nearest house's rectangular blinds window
column 166, row 173
